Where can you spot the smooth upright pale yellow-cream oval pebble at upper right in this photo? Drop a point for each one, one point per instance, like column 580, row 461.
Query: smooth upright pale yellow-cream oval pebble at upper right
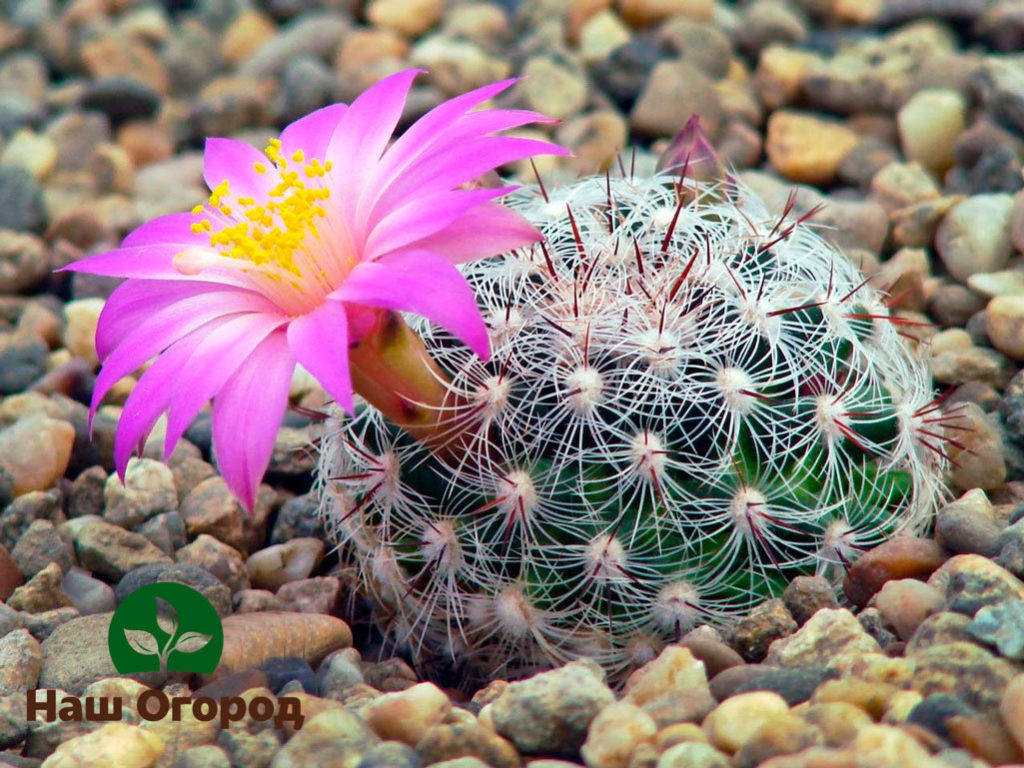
column 929, row 124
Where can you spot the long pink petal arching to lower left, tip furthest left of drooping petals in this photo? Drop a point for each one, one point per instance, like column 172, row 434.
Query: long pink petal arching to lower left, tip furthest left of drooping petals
column 163, row 329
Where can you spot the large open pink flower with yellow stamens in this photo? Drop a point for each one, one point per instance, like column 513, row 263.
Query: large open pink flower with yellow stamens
column 292, row 260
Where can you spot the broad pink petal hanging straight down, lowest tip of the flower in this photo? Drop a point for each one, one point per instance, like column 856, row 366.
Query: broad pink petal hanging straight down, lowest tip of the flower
column 247, row 414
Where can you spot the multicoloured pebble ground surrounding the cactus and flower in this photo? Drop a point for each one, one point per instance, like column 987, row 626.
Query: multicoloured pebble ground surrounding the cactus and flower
column 906, row 117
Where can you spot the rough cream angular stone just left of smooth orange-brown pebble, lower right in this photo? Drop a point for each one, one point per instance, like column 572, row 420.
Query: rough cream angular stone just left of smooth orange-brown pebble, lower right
column 827, row 634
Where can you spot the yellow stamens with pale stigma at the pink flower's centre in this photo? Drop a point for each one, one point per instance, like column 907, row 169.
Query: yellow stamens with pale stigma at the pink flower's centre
column 276, row 240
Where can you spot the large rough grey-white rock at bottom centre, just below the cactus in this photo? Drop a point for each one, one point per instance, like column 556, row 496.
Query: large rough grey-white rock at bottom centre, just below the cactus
column 550, row 713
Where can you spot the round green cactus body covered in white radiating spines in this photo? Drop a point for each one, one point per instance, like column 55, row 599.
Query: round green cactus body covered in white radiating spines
column 690, row 402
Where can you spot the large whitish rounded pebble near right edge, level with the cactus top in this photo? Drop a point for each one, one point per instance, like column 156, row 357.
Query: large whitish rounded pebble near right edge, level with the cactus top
column 974, row 236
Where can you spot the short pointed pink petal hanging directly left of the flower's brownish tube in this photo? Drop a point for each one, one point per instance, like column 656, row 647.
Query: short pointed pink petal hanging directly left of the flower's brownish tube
column 320, row 344
